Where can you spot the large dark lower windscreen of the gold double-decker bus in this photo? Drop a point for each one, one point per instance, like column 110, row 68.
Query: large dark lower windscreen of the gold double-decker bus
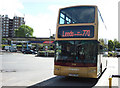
column 77, row 51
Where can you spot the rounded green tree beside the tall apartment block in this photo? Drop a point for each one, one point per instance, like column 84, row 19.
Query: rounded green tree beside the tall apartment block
column 24, row 31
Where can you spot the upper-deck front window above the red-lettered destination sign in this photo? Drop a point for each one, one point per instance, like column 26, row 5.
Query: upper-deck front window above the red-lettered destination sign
column 74, row 15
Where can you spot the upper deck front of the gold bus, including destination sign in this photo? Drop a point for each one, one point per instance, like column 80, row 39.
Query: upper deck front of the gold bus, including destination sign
column 79, row 22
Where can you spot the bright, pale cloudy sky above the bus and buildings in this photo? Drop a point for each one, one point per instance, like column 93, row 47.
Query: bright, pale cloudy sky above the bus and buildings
column 41, row 15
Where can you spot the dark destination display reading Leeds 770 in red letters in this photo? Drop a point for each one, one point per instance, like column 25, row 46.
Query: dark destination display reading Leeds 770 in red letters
column 76, row 32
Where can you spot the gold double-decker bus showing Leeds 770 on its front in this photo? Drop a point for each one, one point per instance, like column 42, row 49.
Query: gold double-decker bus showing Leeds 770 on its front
column 80, row 42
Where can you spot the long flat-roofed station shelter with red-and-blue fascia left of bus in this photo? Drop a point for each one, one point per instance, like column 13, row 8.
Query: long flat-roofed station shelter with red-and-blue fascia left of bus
column 29, row 42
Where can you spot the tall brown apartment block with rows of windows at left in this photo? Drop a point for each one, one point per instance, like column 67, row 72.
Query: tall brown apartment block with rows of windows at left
column 9, row 25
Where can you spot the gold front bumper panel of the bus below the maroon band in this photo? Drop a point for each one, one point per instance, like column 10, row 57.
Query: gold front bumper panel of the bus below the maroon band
column 88, row 72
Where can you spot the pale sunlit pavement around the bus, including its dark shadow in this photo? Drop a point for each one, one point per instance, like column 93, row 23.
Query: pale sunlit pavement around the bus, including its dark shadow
column 19, row 69
